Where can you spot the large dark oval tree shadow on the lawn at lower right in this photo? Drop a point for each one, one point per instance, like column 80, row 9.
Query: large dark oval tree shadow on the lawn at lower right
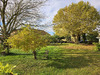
column 71, row 62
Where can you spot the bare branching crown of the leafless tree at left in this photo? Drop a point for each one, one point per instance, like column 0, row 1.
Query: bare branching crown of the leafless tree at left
column 15, row 13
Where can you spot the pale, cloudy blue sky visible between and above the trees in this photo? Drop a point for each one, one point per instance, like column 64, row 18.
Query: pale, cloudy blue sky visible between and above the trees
column 52, row 6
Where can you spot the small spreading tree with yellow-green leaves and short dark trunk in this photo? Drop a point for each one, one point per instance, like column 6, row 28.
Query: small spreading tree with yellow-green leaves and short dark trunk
column 28, row 39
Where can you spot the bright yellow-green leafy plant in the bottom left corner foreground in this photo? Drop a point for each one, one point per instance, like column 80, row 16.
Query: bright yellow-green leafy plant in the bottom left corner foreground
column 7, row 69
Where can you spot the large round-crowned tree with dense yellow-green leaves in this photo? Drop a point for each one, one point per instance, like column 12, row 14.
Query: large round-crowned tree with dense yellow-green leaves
column 76, row 19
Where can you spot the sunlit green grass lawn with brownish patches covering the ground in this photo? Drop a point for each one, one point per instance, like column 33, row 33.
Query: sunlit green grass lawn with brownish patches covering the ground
column 65, row 59
